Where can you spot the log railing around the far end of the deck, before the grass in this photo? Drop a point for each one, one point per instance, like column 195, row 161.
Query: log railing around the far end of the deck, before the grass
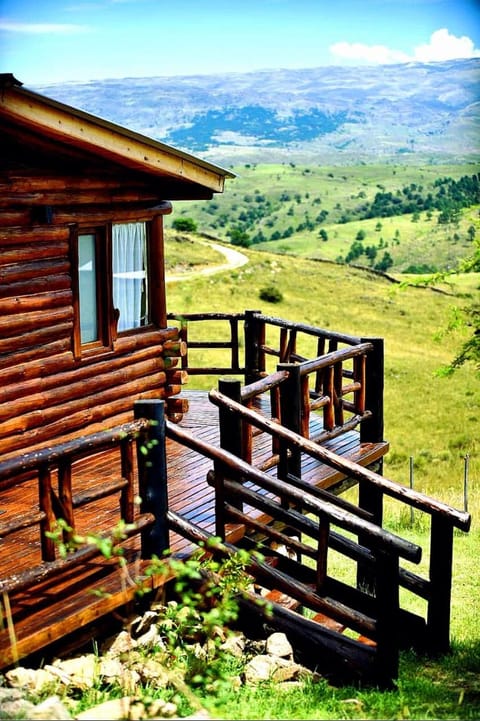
column 306, row 370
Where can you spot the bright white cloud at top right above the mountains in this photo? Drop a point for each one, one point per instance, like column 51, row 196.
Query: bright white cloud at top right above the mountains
column 442, row 46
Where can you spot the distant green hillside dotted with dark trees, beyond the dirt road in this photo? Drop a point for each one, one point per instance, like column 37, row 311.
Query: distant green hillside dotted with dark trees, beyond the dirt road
column 319, row 212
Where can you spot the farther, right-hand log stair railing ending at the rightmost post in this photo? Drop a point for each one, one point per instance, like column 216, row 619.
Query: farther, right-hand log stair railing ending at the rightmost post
column 373, row 487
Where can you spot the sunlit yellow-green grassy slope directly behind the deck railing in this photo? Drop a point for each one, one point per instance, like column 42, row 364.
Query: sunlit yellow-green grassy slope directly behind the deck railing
column 432, row 419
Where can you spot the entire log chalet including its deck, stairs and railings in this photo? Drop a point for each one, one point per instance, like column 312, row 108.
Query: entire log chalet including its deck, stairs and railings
column 92, row 365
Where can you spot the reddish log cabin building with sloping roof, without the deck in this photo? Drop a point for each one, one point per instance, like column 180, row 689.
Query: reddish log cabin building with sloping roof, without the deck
column 82, row 295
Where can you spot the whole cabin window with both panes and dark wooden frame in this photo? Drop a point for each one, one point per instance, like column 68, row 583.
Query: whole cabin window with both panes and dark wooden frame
column 114, row 289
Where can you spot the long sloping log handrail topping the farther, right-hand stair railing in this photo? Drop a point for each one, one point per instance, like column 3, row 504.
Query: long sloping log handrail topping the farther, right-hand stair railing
column 459, row 519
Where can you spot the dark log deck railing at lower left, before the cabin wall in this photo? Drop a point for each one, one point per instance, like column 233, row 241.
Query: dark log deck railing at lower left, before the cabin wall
column 52, row 469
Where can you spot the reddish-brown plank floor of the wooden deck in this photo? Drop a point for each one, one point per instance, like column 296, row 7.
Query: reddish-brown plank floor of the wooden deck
column 42, row 613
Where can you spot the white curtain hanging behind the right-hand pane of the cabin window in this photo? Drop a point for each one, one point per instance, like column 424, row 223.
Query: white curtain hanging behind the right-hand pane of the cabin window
column 129, row 255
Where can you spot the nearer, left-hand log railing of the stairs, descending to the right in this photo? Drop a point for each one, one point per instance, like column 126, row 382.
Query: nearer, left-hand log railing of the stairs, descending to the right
column 248, row 496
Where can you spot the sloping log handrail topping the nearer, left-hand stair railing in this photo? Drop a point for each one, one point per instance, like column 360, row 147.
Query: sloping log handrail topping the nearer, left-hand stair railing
column 386, row 540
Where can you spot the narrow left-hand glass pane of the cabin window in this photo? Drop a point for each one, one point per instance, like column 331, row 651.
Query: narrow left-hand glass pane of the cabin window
column 88, row 288
